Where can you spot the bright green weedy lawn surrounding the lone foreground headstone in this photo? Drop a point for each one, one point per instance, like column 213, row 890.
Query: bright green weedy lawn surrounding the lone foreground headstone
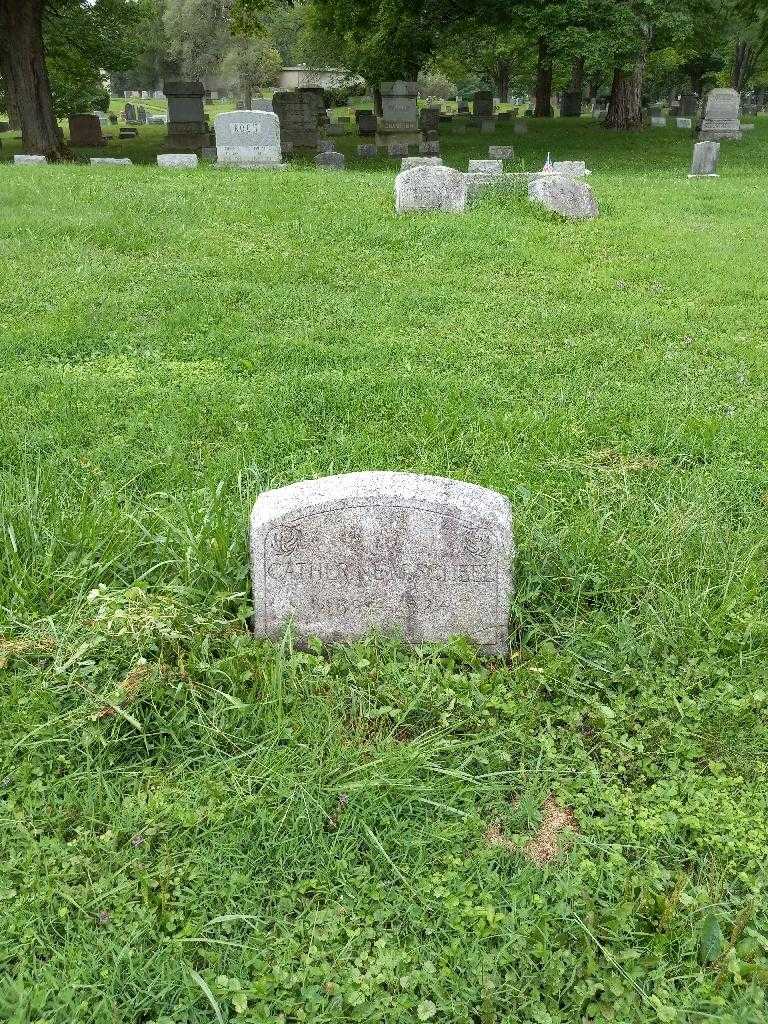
column 198, row 827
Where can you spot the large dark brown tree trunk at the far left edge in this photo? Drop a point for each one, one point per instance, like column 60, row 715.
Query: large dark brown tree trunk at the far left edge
column 24, row 64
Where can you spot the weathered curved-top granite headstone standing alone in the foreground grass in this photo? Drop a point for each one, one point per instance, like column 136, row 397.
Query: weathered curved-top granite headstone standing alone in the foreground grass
column 347, row 556
